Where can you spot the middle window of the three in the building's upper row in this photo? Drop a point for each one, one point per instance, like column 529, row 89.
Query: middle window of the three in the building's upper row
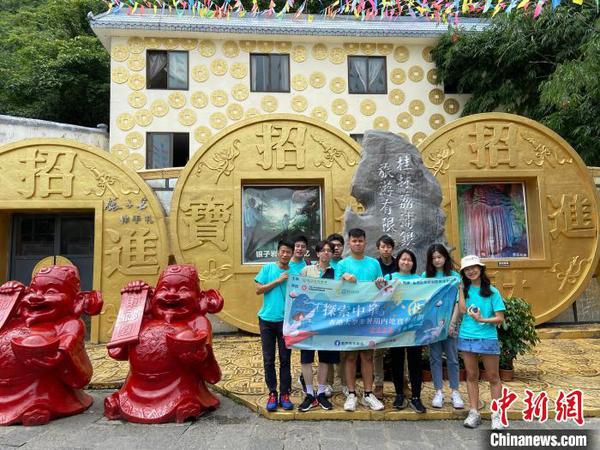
column 269, row 73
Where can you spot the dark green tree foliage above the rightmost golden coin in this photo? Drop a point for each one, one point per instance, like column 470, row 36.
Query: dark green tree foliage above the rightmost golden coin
column 546, row 69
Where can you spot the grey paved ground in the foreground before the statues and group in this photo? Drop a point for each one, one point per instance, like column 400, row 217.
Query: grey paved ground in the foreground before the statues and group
column 235, row 427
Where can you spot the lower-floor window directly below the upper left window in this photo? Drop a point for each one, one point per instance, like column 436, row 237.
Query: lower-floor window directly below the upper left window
column 167, row 150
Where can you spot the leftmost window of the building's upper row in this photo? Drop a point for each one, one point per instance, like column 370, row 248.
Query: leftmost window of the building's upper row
column 167, row 70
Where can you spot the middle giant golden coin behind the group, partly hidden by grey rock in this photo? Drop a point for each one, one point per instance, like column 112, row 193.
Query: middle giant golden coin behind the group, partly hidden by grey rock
column 206, row 212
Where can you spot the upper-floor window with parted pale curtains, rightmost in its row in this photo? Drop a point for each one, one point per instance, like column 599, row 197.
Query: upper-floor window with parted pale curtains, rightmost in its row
column 367, row 75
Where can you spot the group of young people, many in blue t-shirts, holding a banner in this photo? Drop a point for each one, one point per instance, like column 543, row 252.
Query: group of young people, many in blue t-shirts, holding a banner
column 472, row 330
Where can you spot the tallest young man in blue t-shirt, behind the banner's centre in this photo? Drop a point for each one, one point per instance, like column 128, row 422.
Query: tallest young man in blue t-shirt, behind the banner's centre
column 359, row 267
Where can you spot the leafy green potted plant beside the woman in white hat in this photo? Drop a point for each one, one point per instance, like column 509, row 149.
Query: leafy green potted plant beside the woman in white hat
column 517, row 334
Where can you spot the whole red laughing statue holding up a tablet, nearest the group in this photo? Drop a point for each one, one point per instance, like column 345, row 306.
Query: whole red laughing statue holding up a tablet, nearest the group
column 165, row 335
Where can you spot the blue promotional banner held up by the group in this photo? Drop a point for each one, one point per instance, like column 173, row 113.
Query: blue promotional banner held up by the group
column 323, row 314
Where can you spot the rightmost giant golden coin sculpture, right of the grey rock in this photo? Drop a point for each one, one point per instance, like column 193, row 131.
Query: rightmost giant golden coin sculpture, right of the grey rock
column 560, row 204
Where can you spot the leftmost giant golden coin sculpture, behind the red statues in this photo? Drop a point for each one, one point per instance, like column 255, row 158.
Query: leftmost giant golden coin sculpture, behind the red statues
column 58, row 175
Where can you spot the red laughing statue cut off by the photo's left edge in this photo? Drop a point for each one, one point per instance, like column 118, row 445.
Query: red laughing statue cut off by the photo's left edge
column 43, row 362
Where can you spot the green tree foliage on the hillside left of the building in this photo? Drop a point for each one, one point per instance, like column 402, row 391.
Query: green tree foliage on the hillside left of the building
column 53, row 67
